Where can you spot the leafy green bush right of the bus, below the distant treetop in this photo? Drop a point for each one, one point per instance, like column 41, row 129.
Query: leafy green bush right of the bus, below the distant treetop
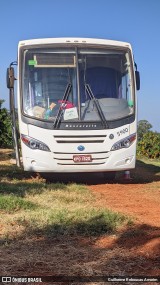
column 149, row 145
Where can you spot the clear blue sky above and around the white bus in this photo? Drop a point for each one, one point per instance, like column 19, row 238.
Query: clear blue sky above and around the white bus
column 133, row 21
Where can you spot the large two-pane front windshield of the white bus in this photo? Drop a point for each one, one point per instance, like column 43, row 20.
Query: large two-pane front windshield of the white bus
column 77, row 84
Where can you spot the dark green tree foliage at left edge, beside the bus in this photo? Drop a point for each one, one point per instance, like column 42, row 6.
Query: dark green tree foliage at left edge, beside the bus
column 5, row 127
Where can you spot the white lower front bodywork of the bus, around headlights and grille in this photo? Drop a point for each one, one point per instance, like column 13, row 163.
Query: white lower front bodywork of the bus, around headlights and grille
column 64, row 151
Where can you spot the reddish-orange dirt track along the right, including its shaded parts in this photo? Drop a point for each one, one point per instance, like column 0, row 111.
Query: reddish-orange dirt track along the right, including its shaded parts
column 139, row 198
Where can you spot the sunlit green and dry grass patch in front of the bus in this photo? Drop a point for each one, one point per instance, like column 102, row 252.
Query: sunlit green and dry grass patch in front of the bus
column 29, row 206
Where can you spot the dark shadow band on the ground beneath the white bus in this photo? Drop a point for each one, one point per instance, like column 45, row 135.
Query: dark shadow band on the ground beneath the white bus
column 143, row 173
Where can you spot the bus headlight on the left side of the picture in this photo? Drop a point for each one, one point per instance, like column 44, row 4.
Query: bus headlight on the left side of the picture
column 33, row 143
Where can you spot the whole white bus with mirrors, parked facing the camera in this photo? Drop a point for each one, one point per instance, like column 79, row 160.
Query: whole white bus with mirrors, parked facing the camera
column 77, row 107
